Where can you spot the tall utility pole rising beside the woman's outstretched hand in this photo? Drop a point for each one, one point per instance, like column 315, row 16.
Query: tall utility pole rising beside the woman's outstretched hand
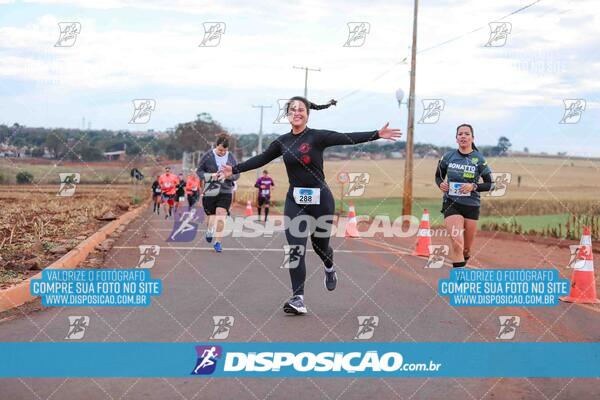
column 408, row 166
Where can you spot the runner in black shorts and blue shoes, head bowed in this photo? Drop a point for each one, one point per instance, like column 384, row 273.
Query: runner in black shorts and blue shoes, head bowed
column 218, row 193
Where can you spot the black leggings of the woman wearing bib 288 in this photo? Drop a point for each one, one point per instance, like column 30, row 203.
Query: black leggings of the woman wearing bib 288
column 320, row 243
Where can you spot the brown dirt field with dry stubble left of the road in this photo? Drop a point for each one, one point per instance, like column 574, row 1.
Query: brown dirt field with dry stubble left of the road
column 38, row 227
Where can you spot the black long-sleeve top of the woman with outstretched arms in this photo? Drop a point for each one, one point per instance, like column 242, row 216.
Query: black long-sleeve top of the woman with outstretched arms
column 303, row 154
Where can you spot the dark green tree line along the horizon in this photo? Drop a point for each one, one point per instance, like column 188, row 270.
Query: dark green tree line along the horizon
column 197, row 135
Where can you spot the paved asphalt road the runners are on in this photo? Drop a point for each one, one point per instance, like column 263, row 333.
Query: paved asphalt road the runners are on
column 376, row 278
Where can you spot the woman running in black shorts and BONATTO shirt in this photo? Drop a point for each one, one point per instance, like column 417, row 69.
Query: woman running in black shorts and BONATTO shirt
column 463, row 168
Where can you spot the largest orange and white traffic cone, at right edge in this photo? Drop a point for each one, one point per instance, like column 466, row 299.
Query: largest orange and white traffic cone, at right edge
column 583, row 281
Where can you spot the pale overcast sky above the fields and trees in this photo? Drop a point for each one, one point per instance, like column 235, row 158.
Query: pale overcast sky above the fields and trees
column 150, row 50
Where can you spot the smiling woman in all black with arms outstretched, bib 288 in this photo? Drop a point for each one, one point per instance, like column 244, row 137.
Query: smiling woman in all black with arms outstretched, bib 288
column 302, row 149
